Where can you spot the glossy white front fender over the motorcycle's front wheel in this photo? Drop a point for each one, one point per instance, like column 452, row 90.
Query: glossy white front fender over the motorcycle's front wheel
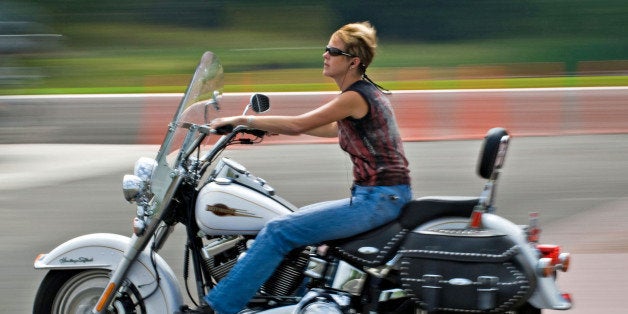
column 104, row 251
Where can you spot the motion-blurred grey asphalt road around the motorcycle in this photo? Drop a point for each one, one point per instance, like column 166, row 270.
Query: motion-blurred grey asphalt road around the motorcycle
column 52, row 192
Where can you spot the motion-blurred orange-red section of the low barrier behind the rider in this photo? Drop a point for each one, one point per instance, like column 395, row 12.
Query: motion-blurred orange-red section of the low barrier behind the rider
column 447, row 114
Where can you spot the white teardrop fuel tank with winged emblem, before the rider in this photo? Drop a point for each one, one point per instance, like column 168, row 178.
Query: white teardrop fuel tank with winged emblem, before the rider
column 234, row 201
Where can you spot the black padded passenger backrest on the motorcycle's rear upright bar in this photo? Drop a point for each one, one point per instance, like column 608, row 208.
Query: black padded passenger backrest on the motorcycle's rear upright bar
column 493, row 152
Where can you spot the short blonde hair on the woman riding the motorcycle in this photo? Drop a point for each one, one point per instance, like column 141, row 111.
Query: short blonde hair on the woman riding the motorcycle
column 360, row 40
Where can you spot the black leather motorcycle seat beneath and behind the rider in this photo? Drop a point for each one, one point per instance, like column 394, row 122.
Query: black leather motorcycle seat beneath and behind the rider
column 375, row 247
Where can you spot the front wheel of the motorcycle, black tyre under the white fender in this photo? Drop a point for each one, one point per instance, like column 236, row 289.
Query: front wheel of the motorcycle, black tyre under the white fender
column 74, row 292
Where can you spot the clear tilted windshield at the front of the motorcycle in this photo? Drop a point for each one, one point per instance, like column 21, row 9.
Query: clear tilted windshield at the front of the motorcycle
column 199, row 105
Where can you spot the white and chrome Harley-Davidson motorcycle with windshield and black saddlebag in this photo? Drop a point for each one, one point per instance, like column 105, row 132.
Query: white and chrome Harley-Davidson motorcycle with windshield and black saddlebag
column 442, row 254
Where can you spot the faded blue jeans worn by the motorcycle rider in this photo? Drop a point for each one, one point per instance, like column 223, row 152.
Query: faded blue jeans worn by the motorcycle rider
column 369, row 207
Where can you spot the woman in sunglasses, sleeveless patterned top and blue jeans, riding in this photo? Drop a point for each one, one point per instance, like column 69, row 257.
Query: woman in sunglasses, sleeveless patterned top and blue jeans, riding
column 363, row 120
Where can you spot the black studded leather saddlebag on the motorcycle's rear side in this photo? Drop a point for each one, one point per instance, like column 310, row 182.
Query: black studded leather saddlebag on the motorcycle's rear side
column 464, row 270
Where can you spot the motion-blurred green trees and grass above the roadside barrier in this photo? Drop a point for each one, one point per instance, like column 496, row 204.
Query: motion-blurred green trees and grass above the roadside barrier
column 89, row 46
